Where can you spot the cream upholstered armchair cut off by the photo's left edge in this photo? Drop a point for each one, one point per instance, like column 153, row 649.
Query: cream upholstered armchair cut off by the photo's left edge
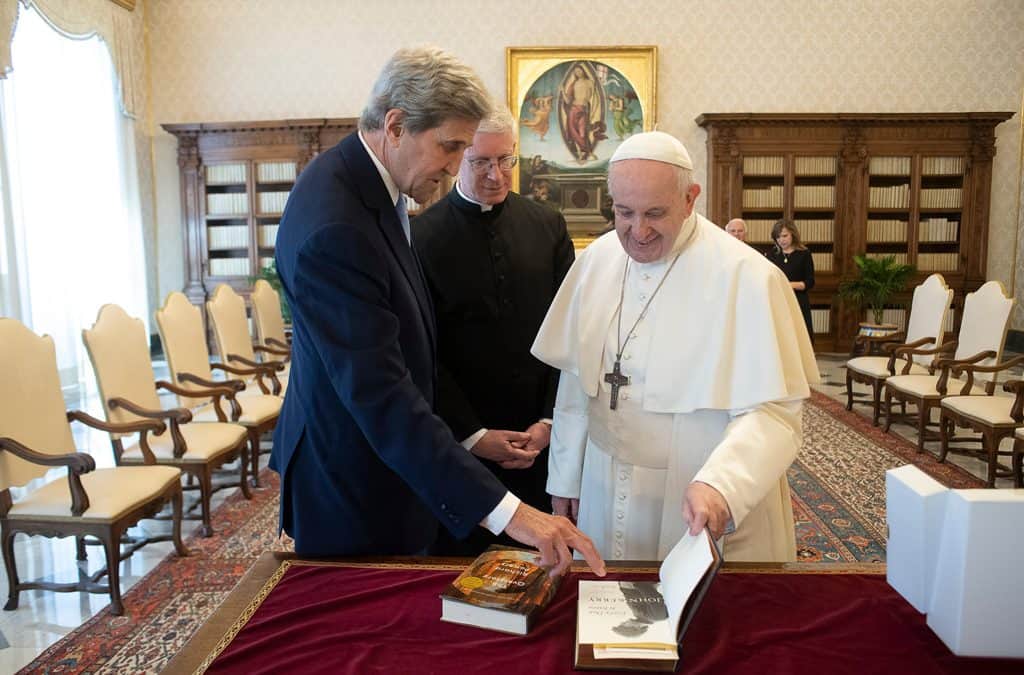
column 35, row 436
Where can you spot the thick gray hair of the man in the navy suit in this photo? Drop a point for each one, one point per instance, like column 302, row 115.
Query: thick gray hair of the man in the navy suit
column 430, row 86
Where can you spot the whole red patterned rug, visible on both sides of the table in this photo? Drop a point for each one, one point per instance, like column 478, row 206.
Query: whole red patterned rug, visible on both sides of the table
column 838, row 486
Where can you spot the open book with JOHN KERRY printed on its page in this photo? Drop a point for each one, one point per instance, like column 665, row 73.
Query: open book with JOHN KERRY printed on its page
column 628, row 625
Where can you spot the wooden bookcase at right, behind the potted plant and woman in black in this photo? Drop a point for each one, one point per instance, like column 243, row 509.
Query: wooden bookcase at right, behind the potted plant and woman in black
column 917, row 186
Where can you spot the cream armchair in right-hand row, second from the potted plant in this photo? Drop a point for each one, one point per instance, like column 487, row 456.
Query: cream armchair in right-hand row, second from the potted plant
column 980, row 342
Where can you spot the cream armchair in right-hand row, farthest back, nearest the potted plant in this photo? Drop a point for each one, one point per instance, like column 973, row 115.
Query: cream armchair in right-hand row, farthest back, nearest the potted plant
column 928, row 314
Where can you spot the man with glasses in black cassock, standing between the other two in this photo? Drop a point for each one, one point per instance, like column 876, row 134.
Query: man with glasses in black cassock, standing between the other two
column 494, row 262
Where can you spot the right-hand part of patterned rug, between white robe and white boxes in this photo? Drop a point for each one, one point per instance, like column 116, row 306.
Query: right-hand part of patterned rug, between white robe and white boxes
column 838, row 483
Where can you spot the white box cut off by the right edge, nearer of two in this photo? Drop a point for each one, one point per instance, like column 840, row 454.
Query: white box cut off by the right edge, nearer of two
column 977, row 606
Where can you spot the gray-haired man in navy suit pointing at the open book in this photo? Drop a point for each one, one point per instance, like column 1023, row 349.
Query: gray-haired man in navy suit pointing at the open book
column 366, row 466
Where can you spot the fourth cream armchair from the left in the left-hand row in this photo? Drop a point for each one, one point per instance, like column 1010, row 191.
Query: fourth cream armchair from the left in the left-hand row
column 227, row 311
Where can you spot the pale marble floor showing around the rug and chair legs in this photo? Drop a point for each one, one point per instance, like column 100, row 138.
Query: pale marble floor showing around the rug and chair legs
column 42, row 618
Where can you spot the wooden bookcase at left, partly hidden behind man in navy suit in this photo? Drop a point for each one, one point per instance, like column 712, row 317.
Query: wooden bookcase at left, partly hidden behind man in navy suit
column 236, row 178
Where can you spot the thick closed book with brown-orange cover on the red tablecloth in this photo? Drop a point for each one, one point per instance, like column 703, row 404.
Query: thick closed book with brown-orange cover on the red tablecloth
column 504, row 589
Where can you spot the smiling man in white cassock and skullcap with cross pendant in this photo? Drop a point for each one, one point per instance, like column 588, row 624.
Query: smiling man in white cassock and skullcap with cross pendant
column 685, row 363
